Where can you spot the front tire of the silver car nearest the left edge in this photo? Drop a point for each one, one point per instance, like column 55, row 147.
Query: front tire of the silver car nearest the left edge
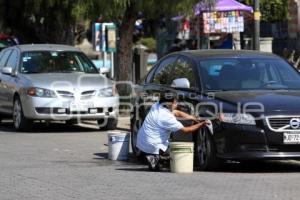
column 21, row 123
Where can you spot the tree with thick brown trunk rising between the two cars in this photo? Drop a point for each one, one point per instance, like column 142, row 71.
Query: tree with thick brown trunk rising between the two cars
column 127, row 11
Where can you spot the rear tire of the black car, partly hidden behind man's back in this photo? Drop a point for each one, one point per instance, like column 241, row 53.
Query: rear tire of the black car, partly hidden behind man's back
column 135, row 125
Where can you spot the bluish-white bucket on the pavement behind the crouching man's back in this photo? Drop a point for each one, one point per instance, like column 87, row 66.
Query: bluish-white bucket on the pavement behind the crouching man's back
column 118, row 146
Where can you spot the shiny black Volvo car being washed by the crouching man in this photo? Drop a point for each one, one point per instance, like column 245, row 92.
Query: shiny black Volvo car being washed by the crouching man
column 252, row 99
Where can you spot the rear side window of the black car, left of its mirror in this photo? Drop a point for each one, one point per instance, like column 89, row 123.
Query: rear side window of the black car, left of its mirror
column 162, row 74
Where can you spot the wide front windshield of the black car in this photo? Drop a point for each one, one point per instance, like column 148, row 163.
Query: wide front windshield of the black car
column 248, row 74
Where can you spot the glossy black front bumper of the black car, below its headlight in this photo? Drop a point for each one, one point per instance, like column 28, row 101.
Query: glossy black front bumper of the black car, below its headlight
column 238, row 142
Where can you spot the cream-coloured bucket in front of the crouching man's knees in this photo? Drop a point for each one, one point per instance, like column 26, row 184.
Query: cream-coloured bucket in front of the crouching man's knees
column 182, row 157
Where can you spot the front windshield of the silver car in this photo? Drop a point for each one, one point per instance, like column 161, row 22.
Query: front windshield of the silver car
column 55, row 62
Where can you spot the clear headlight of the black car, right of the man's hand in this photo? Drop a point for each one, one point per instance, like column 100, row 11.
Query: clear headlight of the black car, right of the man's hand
column 237, row 118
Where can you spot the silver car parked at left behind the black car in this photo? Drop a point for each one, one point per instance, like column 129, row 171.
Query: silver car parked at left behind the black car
column 54, row 82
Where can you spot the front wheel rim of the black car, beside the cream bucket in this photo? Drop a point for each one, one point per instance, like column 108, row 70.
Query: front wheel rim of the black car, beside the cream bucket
column 202, row 147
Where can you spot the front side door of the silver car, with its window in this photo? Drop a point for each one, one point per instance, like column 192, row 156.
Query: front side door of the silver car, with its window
column 9, row 82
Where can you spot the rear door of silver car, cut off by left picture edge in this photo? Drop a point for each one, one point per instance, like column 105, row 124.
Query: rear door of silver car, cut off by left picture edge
column 3, row 60
